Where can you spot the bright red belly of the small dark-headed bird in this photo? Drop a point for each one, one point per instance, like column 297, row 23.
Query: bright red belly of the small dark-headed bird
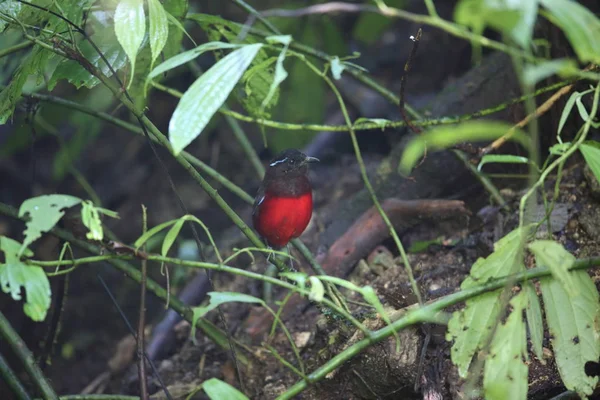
column 279, row 219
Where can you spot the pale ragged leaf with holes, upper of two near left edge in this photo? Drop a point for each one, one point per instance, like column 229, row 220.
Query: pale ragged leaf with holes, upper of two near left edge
column 44, row 212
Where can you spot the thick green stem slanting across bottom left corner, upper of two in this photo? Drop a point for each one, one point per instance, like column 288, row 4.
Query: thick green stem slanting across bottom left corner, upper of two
column 26, row 357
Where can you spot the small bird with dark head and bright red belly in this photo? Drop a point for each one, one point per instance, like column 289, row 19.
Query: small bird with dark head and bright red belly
column 283, row 204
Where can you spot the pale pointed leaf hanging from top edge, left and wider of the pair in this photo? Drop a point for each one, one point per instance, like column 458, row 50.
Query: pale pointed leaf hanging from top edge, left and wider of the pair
column 130, row 28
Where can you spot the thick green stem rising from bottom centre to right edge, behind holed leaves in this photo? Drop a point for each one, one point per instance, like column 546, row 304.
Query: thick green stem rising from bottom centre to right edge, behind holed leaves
column 424, row 314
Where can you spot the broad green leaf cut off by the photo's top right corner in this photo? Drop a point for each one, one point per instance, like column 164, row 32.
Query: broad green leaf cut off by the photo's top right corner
column 579, row 25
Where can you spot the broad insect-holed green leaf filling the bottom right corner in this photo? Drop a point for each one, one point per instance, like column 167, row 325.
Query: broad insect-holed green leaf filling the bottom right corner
column 573, row 327
